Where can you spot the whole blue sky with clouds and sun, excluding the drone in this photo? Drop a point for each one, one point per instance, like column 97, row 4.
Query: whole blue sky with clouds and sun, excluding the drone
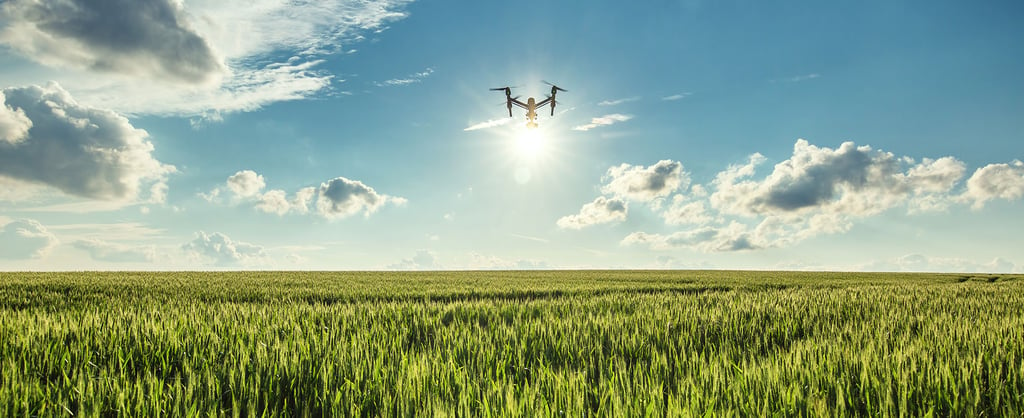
column 274, row 135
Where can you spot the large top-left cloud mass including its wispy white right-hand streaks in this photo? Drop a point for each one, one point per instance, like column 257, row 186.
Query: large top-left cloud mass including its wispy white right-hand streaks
column 201, row 58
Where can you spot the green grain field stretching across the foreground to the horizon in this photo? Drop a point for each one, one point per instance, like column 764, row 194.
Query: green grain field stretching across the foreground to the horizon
column 510, row 344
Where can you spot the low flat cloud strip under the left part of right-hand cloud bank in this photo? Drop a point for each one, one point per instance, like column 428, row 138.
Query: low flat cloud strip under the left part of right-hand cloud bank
column 734, row 237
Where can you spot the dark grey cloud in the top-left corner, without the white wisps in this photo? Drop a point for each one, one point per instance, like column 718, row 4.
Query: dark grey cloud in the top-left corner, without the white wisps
column 143, row 38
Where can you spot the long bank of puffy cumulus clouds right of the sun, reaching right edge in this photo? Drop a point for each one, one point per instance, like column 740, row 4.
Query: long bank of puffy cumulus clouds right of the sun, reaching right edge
column 818, row 191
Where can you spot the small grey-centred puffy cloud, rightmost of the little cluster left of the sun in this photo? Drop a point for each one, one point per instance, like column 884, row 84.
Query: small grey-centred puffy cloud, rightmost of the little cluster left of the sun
column 342, row 198
